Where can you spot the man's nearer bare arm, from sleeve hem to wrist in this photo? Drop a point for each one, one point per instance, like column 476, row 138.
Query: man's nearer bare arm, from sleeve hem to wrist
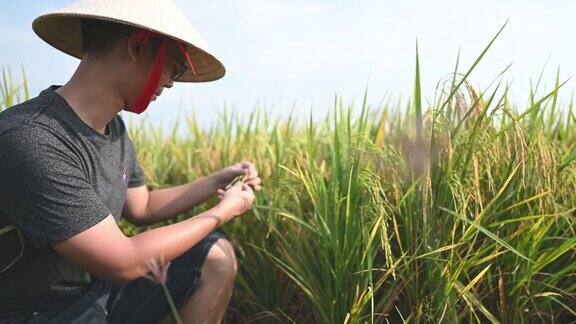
column 106, row 252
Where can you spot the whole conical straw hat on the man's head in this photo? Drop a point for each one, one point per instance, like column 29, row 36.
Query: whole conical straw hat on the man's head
column 62, row 30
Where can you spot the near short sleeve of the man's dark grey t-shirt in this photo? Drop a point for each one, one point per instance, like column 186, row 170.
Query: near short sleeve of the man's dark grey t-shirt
column 44, row 190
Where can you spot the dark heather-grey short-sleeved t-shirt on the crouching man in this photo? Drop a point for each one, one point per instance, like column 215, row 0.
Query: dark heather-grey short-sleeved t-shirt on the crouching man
column 58, row 177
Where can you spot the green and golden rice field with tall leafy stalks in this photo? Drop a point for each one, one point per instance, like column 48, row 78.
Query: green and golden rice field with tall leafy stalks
column 457, row 211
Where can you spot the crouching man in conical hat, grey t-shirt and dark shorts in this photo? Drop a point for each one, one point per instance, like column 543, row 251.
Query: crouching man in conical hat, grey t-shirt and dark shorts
column 69, row 172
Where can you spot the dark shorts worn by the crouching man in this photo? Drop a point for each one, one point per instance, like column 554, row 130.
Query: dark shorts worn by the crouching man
column 139, row 301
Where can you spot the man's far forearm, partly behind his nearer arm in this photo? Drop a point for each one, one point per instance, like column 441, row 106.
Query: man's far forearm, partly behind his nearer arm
column 143, row 207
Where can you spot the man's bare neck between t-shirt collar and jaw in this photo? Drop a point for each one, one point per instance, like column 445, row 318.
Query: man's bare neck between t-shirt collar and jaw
column 91, row 95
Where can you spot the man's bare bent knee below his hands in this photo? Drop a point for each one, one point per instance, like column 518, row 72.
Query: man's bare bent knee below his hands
column 220, row 262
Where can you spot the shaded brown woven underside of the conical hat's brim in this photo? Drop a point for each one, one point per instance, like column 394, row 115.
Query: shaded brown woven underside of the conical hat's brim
column 63, row 32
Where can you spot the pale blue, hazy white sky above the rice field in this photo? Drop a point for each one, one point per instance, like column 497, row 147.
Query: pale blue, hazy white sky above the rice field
column 294, row 56
